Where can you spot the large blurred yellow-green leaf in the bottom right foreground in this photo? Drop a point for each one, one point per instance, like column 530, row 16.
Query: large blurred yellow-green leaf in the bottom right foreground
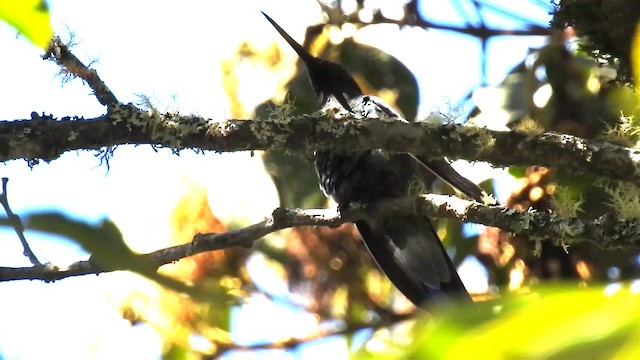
column 554, row 322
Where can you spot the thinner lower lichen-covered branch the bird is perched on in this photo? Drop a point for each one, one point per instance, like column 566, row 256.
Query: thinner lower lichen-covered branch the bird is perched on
column 605, row 231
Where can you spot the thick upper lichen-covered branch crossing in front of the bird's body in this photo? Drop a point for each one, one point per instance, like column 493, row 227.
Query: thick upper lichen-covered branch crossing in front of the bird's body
column 44, row 137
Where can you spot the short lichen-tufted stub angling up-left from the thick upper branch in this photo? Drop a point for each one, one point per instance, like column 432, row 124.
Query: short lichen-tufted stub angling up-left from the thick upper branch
column 59, row 53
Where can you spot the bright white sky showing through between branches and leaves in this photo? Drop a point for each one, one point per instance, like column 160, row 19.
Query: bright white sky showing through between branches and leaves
column 170, row 51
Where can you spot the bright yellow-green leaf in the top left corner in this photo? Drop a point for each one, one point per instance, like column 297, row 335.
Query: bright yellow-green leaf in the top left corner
column 31, row 19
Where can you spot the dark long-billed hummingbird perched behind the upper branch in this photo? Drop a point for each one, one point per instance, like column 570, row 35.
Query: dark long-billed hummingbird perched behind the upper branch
column 406, row 248
